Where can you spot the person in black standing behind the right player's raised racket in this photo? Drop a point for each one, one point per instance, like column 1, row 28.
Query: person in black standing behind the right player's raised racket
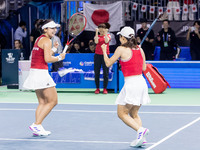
column 147, row 45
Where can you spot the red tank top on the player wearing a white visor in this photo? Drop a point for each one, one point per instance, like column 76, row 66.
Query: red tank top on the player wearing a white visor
column 37, row 61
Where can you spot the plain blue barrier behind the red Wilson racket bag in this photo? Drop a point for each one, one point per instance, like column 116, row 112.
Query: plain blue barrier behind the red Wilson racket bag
column 179, row 74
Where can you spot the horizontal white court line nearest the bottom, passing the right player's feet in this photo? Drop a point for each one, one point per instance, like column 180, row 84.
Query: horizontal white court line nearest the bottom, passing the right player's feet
column 66, row 141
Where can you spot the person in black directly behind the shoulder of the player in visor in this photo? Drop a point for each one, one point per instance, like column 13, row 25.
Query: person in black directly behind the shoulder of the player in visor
column 35, row 33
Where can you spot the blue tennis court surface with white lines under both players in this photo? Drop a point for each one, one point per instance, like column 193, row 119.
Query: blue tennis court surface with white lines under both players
column 97, row 127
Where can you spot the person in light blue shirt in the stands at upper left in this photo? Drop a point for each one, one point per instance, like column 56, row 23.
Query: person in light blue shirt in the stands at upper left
column 20, row 32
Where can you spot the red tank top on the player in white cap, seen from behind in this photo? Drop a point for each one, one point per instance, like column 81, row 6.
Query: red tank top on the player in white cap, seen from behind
column 134, row 65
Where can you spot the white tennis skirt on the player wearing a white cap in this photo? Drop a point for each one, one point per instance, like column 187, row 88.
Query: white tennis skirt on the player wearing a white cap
column 134, row 91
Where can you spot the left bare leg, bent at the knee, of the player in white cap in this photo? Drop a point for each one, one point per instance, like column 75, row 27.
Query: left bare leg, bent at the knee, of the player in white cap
column 123, row 113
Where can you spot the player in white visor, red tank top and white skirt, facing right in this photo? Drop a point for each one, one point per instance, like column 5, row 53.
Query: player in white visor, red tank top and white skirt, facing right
column 39, row 78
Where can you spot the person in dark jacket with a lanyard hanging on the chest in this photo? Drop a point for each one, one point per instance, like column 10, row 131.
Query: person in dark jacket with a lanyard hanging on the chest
column 166, row 39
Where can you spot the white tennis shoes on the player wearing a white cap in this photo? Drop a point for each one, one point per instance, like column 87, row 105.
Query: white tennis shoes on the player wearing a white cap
column 141, row 136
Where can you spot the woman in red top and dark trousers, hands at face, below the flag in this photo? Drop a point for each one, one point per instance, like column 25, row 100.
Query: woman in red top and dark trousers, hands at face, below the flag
column 101, row 37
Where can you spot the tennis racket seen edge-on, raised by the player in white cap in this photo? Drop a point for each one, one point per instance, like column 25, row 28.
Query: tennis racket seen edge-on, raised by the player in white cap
column 161, row 17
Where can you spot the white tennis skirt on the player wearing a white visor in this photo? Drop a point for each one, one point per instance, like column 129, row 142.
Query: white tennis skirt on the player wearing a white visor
column 38, row 79
